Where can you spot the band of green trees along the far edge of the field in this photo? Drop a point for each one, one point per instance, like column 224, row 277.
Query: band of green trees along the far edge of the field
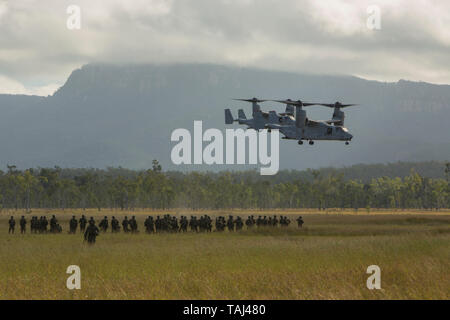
column 125, row 189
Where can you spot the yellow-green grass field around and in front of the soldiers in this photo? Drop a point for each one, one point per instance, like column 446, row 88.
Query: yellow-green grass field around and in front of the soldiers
column 327, row 259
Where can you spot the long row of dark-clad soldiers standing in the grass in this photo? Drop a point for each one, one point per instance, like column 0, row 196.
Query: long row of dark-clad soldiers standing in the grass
column 166, row 223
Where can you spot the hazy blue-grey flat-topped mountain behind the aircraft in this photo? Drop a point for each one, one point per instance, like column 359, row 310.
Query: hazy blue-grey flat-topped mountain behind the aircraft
column 107, row 115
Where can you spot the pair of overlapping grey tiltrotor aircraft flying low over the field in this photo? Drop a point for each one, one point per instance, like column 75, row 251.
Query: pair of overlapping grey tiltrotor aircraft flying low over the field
column 295, row 126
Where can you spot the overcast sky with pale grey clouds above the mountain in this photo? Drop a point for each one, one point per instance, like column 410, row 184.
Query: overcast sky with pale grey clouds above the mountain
column 38, row 51
